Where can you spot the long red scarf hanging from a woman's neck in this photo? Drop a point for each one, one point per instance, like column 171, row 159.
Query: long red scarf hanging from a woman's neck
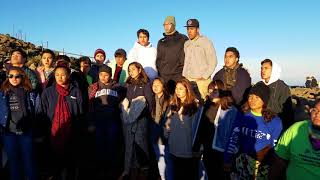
column 61, row 125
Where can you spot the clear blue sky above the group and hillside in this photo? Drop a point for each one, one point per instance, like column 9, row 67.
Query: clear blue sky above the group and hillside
column 285, row 31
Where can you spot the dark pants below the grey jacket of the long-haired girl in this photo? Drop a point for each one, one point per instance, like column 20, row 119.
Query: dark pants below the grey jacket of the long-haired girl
column 185, row 168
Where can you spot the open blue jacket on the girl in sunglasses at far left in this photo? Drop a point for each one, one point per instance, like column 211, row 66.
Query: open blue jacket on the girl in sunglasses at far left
column 32, row 103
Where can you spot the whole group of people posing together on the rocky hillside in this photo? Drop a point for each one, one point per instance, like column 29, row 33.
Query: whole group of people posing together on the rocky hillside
column 155, row 113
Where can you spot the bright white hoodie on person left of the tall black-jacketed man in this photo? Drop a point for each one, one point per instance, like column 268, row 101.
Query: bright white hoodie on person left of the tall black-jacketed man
column 146, row 56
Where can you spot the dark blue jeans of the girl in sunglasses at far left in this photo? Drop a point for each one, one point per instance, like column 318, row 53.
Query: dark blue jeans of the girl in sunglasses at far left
column 19, row 147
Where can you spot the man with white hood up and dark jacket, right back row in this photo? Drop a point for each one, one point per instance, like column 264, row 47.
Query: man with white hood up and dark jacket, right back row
column 280, row 96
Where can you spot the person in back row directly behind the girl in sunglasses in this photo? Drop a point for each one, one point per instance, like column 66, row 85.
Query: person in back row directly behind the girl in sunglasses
column 18, row 59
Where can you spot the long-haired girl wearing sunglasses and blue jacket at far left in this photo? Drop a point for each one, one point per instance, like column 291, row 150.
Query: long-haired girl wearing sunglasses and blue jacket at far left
column 17, row 104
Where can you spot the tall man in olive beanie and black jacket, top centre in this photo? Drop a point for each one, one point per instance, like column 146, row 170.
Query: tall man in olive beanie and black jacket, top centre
column 170, row 54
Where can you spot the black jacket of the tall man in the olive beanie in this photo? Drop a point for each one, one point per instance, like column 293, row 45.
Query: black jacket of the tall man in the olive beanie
column 170, row 56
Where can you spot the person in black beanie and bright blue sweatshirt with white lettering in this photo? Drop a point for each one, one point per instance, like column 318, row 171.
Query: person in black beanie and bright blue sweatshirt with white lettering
column 253, row 137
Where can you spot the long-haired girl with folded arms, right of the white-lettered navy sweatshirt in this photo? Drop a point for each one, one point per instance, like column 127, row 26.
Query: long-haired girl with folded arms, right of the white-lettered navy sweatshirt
column 140, row 162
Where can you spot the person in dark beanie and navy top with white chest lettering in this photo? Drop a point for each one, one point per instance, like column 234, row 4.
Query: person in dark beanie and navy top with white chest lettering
column 105, row 124
